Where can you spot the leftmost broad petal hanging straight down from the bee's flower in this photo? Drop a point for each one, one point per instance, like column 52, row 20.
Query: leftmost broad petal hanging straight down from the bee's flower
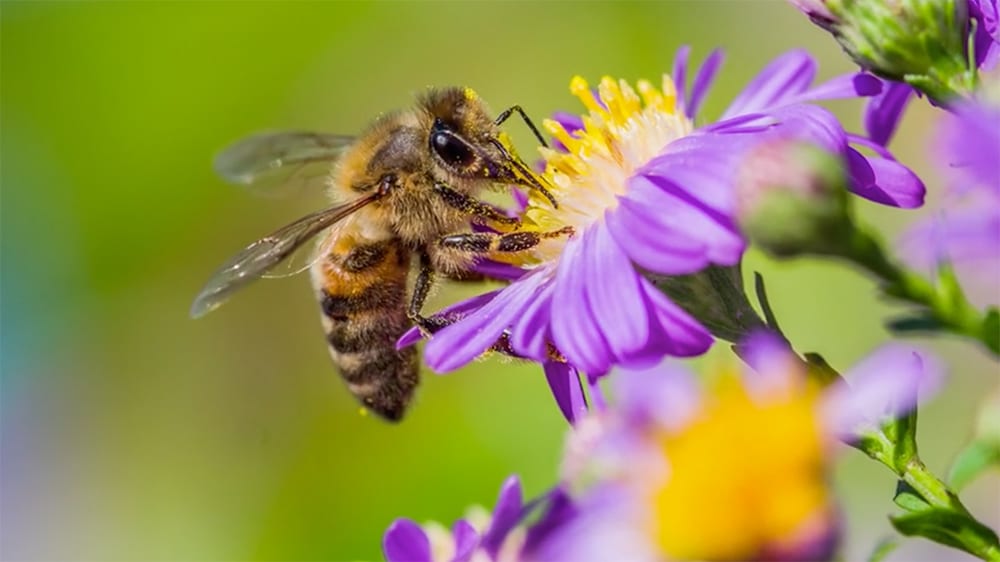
column 575, row 331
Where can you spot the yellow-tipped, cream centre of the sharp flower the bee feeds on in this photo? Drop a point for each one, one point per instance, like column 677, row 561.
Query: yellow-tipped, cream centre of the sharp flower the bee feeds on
column 622, row 131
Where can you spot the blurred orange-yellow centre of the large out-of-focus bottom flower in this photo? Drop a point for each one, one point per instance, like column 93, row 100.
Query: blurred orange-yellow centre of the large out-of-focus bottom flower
column 743, row 477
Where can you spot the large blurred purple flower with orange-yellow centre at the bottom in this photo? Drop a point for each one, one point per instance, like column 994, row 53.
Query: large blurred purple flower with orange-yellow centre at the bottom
column 739, row 472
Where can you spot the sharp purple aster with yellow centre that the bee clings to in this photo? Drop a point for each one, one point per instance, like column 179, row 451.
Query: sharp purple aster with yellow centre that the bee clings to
column 645, row 191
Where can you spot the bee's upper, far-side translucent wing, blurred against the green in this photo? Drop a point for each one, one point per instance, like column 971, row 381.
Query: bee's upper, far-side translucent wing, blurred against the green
column 280, row 163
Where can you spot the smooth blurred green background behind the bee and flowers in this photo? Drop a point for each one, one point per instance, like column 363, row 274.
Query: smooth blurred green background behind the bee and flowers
column 131, row 432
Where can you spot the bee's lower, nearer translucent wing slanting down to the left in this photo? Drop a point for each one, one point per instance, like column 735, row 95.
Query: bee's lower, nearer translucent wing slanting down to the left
column 259, row 257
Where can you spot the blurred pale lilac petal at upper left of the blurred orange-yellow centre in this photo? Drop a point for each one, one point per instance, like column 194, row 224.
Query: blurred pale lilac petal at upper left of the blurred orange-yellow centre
column 665, row 395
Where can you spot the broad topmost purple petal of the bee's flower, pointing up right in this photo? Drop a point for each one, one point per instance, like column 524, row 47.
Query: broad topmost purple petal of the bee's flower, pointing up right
column 781, row 80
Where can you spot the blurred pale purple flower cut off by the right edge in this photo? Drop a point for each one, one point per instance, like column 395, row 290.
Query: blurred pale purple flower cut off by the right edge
column 965, row 231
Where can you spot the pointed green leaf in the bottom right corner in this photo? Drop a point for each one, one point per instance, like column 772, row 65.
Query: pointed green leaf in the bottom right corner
column 949, row 528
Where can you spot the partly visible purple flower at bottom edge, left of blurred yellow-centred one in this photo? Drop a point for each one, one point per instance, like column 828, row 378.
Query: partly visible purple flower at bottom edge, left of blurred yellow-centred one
column 481, row 537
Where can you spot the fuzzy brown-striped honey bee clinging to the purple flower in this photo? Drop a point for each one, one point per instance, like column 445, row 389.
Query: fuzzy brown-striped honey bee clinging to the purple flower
column 407, row 190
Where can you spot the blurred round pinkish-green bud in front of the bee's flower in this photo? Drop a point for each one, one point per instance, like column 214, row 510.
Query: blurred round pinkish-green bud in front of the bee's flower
column 792, row 199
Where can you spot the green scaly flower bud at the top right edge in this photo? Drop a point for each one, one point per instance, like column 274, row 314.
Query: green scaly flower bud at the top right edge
column 918, row 42
